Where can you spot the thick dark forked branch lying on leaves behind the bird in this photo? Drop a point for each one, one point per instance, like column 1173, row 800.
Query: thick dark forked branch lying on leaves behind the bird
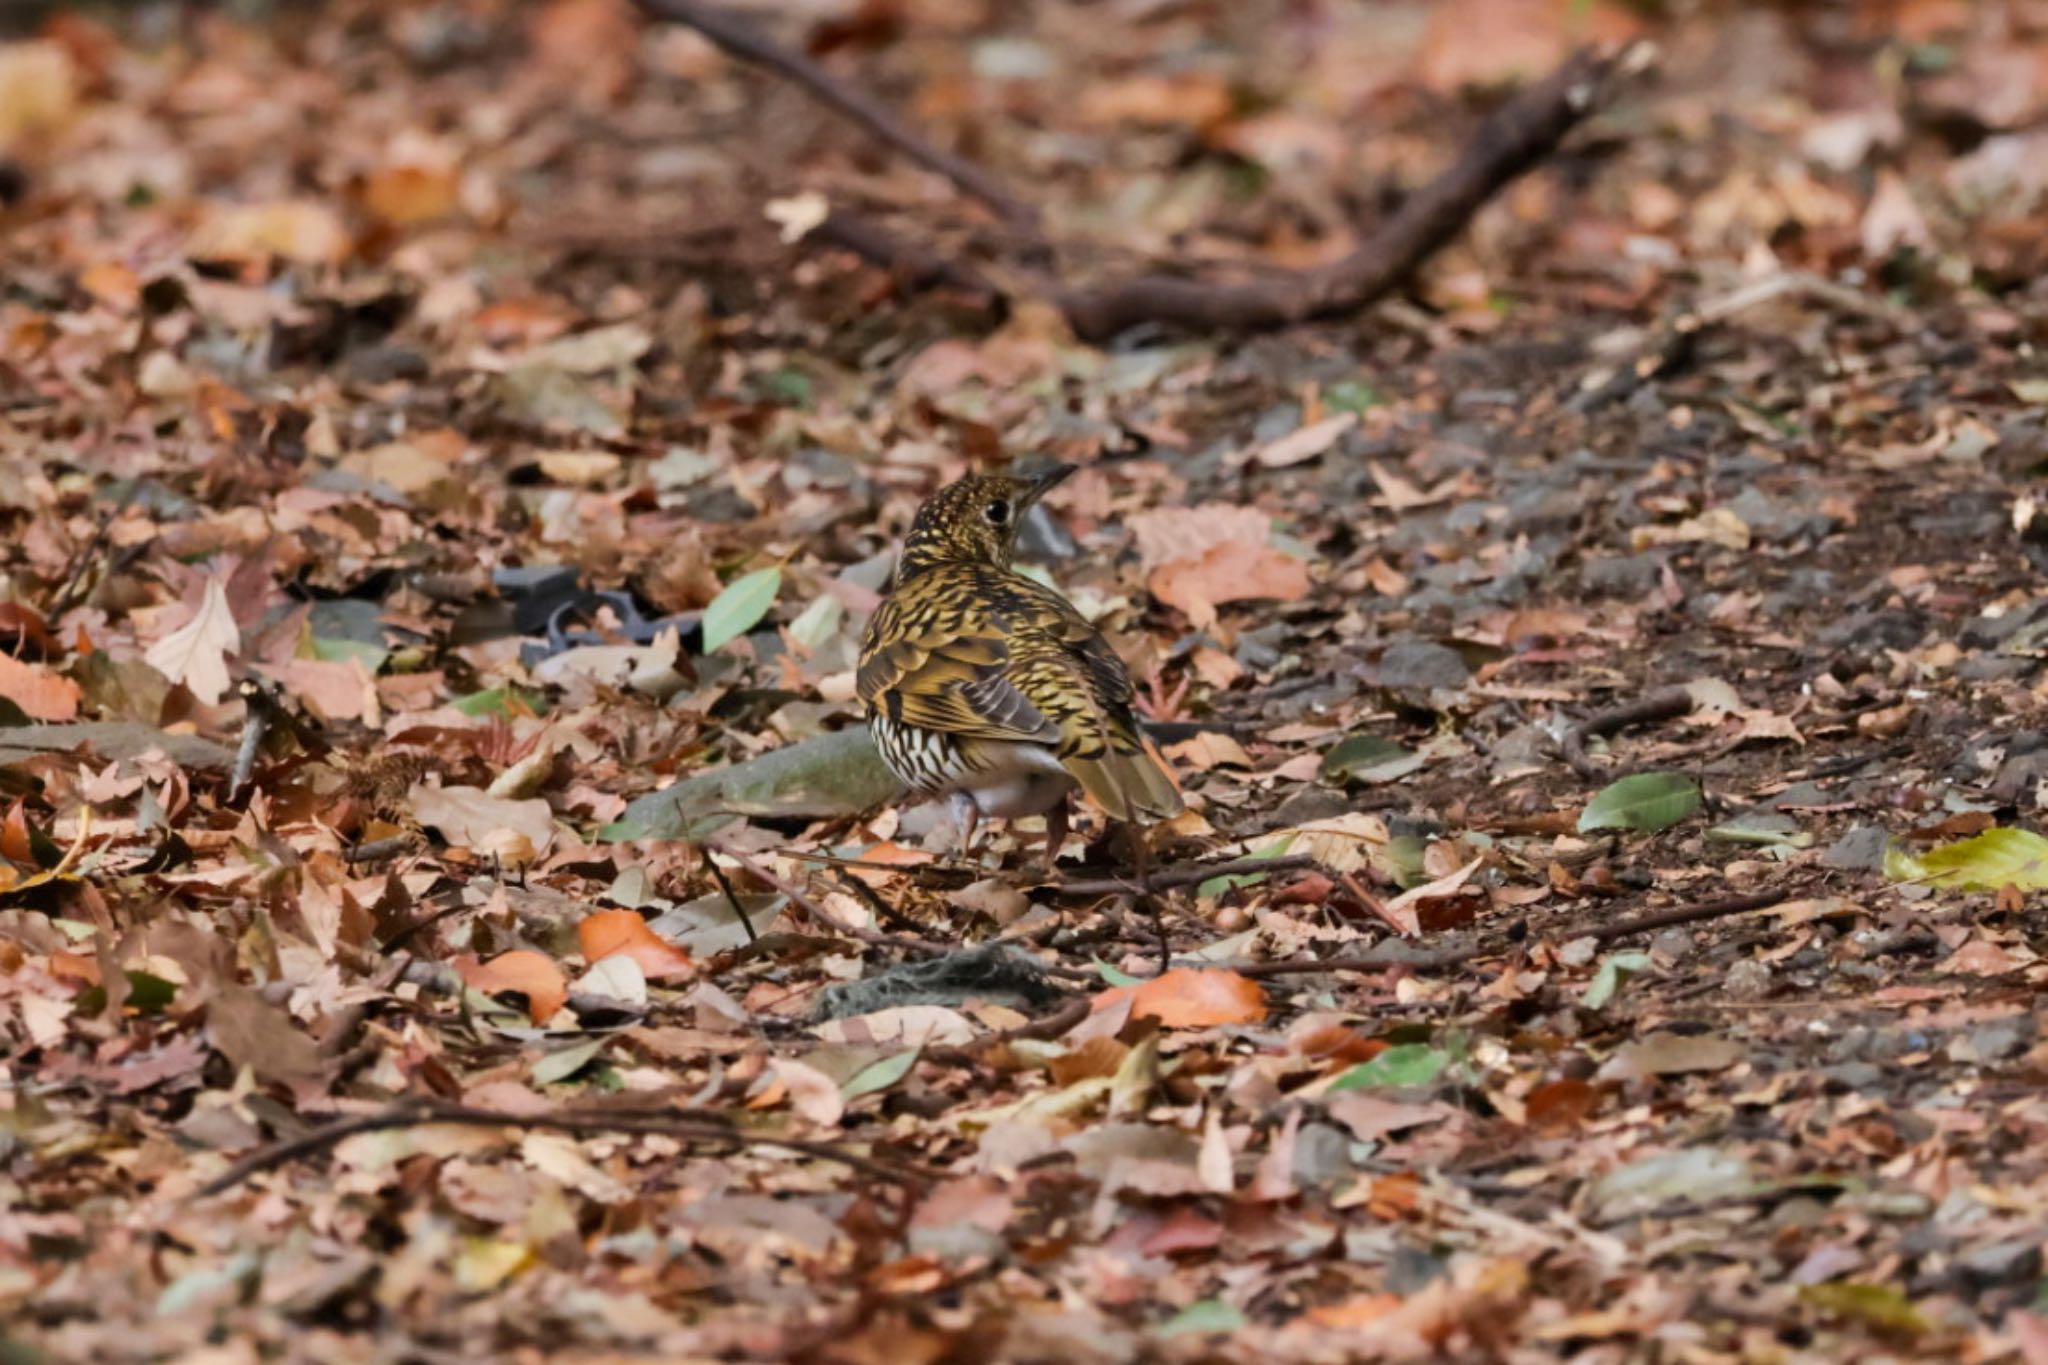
column 1514, row 140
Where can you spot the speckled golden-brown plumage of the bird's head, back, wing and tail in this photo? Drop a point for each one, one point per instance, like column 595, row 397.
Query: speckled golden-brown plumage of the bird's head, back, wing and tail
column 970, row 648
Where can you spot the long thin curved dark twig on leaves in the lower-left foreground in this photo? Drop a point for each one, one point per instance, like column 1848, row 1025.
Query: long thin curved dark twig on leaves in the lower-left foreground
column 421, row 1112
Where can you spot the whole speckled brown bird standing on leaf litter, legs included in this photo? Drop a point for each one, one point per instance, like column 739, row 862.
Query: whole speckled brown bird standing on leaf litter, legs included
column 990, row 689
